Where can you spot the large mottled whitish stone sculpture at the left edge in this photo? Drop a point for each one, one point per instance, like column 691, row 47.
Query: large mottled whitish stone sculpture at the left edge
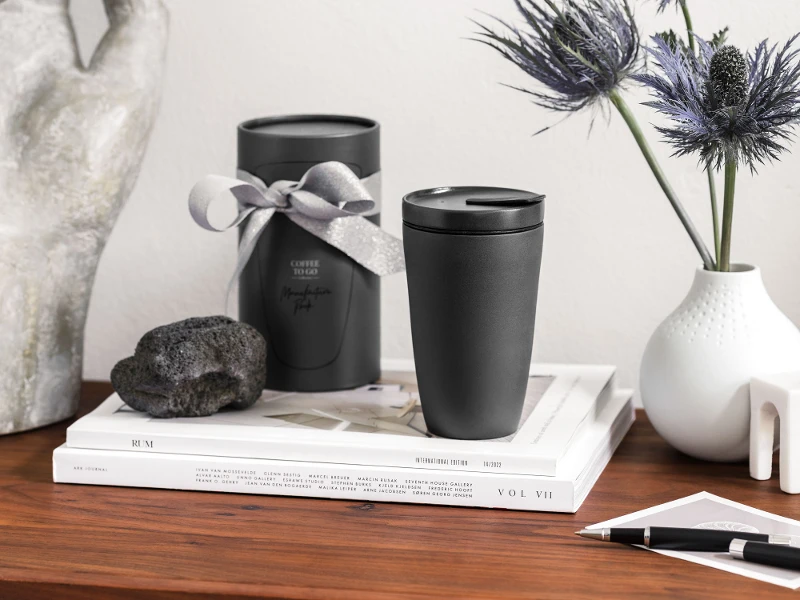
column 72, row 140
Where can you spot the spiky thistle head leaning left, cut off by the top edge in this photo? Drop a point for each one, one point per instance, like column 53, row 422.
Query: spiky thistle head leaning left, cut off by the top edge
column 578, row 50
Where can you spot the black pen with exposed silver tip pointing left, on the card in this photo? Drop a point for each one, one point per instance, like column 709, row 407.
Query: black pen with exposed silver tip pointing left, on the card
column 678, row 538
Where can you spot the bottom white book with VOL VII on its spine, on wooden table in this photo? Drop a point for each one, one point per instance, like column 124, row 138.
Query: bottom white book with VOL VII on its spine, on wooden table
column 565, row 492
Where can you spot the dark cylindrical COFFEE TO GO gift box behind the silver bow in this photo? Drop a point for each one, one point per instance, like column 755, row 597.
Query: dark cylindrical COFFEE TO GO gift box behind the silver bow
column 318, row 309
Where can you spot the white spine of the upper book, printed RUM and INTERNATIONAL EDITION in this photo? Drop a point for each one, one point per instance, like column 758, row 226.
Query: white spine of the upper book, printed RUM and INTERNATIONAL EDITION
column 294, row 450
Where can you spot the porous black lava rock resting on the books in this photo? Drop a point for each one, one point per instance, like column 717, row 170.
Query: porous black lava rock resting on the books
column 193, row 368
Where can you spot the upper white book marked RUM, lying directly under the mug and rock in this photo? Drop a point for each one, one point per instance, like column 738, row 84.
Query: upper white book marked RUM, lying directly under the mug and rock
column 373, row 426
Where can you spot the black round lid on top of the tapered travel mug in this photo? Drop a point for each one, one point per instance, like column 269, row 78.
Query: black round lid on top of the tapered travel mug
column 479, row 210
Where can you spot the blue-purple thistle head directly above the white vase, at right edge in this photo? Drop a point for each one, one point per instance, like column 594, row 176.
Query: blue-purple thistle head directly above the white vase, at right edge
column 725, row 106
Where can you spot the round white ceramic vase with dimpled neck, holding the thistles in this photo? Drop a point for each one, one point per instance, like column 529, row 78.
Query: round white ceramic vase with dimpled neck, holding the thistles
column 697, row 367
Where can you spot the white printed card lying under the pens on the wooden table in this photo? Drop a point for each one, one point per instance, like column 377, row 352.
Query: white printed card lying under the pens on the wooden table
column 713, row 512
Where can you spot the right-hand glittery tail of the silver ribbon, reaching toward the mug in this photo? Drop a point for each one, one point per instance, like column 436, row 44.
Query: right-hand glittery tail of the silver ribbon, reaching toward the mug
column 360, row 239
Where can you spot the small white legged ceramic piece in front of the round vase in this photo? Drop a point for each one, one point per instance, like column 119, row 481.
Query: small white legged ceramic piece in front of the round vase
column 770, row 397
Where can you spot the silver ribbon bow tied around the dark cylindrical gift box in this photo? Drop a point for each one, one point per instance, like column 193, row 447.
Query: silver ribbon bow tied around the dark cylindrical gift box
column 328, row 202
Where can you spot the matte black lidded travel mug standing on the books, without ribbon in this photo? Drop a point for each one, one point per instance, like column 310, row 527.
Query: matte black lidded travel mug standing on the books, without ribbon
column 472, row 261
